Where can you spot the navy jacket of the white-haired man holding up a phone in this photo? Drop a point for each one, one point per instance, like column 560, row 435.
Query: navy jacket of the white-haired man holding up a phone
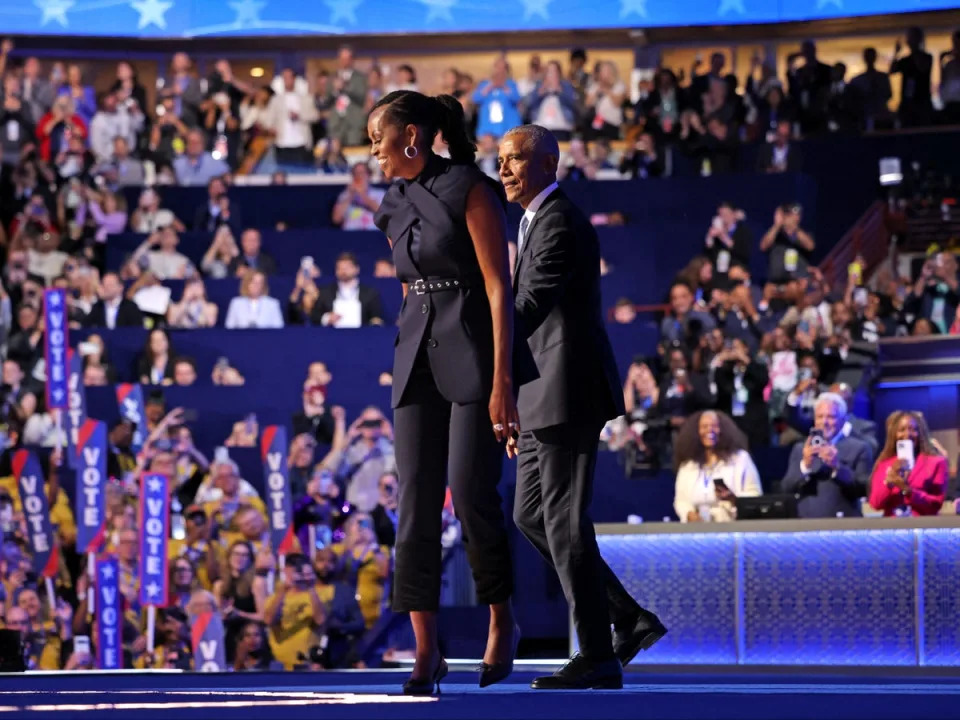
column 821, row 493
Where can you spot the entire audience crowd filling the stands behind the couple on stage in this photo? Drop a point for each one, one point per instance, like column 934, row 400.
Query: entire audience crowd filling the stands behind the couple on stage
column 741, row 365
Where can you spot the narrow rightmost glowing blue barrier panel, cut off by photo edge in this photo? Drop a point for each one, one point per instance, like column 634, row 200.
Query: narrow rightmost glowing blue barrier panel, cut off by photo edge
column 940, row 580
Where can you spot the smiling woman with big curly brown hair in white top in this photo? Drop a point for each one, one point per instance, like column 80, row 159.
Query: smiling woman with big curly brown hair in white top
column 713, row 469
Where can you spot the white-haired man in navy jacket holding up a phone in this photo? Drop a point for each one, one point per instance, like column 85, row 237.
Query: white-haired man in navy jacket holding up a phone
column 830, row 470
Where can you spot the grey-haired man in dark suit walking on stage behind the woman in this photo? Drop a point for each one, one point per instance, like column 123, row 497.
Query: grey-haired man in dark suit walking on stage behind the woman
column 558, row 312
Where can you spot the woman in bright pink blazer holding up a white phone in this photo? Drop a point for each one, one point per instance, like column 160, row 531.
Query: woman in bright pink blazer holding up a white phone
column 894, row 485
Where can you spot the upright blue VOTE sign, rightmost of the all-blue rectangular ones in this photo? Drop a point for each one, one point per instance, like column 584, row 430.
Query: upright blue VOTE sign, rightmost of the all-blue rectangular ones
column 154, row 531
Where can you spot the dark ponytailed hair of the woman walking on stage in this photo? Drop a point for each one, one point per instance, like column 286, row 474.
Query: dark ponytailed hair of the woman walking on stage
column 442, row 114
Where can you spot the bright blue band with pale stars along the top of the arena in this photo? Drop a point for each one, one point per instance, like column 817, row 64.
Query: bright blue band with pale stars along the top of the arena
column 195, row 18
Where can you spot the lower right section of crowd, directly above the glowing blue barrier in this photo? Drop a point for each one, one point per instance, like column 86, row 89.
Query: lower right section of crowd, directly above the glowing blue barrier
column 742, row 366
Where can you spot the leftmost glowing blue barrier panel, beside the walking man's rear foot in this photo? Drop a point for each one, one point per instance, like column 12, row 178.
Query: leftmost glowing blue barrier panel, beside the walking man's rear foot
column 690, row 582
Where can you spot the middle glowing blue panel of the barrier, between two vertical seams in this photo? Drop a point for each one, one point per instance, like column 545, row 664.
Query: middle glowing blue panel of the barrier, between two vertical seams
column 829, row 598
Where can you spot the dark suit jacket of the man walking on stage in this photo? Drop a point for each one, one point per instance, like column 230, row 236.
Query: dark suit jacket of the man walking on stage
column 558, row 312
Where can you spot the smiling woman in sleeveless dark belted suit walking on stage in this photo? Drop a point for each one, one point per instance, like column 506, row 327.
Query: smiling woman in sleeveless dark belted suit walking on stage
column 453, row 393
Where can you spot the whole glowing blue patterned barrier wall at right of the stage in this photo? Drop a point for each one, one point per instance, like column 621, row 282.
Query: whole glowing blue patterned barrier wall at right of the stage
column 882, row 592
